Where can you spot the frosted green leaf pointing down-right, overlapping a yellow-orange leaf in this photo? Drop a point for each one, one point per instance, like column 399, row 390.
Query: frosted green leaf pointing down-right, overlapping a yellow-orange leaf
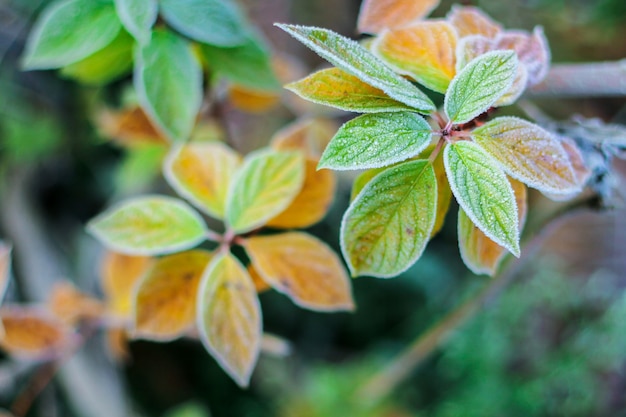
column 483, row 192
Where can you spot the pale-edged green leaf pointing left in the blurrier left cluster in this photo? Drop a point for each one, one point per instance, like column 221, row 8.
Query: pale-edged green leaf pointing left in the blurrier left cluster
column 151, row 225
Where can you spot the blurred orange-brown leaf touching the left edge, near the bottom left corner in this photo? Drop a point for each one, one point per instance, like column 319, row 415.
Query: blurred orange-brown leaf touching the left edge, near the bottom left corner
column 33, row 333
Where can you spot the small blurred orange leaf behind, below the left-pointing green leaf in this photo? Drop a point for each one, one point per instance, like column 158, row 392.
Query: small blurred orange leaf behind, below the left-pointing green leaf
column 119, row 275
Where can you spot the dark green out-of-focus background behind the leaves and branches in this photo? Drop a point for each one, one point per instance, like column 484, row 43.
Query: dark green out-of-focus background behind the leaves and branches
column 552, row 343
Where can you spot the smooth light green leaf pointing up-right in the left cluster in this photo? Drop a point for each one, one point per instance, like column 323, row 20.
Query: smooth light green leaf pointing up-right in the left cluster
column 265, row 185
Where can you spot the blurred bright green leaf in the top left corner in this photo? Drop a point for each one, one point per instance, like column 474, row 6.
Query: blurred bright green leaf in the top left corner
column 69, row 31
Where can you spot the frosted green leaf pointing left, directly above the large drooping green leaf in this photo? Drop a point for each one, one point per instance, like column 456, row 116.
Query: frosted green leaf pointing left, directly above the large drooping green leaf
column 376, row 140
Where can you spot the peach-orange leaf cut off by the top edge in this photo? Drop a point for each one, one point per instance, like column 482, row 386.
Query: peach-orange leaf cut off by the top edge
column 376, row 15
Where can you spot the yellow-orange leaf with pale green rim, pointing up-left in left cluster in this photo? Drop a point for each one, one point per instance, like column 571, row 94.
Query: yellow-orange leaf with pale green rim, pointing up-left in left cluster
column 201, row 172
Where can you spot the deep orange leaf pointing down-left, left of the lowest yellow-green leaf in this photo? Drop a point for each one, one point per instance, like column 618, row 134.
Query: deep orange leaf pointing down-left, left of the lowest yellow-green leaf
column 165, row 298
